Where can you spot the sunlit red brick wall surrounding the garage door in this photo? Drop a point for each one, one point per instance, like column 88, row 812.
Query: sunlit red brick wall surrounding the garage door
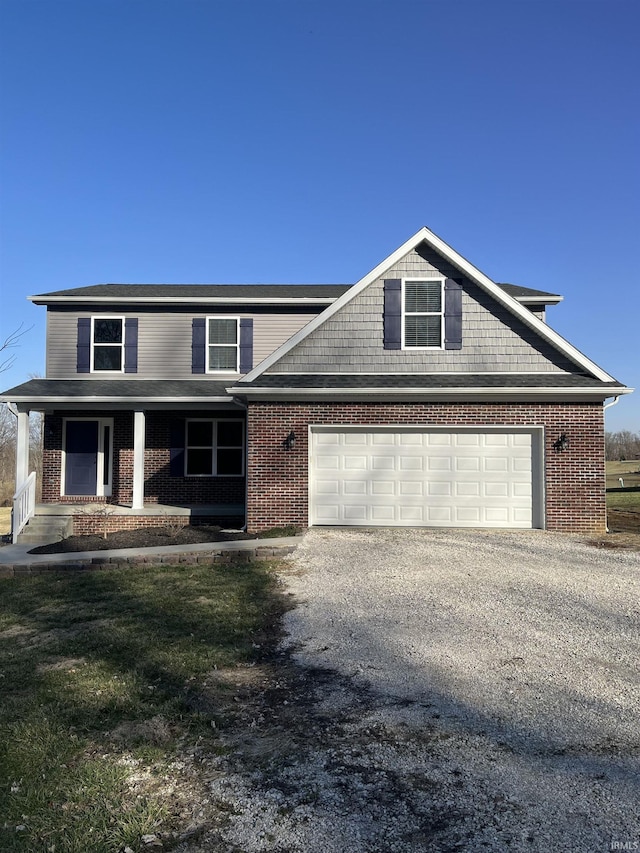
column 574, row 479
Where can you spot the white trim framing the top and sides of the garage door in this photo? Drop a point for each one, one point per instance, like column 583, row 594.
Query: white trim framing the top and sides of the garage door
column 538, row 484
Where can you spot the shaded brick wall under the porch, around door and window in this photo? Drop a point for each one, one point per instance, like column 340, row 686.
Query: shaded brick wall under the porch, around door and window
column 160, row 486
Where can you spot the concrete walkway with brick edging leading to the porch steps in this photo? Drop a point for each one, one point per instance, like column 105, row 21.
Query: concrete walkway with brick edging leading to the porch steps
column 17, row 555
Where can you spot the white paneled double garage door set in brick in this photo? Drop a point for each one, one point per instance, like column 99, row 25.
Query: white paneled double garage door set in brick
column 418, row 477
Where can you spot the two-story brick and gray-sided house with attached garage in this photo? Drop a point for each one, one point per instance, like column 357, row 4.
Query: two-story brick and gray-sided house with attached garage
column 424, row 394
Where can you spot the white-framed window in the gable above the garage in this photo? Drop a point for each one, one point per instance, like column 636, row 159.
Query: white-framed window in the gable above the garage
column 422, row 313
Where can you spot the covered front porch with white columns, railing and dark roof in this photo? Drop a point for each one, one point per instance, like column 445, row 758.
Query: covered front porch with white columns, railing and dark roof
column 132, row 455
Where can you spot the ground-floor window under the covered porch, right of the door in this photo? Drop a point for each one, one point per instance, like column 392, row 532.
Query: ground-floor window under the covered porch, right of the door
column 214, row 448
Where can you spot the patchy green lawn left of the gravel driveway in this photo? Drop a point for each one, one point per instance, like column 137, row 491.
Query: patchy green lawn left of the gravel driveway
column 103, row 678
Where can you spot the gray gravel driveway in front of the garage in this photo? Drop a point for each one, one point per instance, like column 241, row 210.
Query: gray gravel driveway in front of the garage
column 480, row 691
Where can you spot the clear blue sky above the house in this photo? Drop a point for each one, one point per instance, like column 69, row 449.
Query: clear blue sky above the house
column 304, row 140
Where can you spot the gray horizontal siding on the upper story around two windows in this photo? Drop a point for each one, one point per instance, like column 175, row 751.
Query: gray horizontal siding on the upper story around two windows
column 164, row 339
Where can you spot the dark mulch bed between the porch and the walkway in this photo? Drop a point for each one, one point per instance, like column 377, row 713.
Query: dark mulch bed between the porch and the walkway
column 143, row 537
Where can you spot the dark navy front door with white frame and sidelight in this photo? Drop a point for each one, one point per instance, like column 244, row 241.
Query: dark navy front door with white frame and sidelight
column 87, row 457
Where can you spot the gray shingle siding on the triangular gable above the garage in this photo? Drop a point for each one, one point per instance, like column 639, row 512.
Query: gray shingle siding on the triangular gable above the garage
column 493, row 339
